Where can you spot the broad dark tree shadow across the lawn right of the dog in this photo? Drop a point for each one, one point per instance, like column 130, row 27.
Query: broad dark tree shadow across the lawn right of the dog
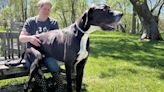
column 129, row 50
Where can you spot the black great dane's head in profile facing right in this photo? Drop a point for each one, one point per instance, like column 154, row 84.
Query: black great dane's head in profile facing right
column 101, row 15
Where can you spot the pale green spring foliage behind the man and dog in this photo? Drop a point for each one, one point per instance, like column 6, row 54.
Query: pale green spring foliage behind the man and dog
column 62, row 10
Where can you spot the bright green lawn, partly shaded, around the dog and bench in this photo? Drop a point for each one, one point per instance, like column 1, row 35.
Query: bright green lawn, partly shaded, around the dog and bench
column 120, row 62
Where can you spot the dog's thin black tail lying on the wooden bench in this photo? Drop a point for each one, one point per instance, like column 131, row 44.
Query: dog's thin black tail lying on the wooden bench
column 8, row 63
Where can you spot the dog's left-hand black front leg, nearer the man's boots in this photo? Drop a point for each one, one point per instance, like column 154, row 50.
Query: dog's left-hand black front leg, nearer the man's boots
column 68, row 76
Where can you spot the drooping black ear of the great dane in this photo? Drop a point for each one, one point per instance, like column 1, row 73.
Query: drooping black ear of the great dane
column 86, row 15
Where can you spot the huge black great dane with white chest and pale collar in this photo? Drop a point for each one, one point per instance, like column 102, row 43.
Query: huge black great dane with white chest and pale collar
column 71, row 44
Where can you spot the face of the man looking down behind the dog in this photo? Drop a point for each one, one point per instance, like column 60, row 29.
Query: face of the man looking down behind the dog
column 45, row 10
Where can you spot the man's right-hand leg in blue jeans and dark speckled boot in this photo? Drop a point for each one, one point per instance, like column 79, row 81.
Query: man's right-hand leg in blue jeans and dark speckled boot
column 54, row 68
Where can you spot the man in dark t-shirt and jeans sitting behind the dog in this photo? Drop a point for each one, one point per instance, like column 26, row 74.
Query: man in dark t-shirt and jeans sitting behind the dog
column 35, row 25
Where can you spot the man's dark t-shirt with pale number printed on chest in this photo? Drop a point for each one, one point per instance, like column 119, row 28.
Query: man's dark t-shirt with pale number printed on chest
column 33, row 26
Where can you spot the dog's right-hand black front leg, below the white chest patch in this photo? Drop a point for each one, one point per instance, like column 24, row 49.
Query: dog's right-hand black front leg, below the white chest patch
column 79, row 75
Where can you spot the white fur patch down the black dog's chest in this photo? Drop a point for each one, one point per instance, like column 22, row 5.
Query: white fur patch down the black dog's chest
column 83, row 53
